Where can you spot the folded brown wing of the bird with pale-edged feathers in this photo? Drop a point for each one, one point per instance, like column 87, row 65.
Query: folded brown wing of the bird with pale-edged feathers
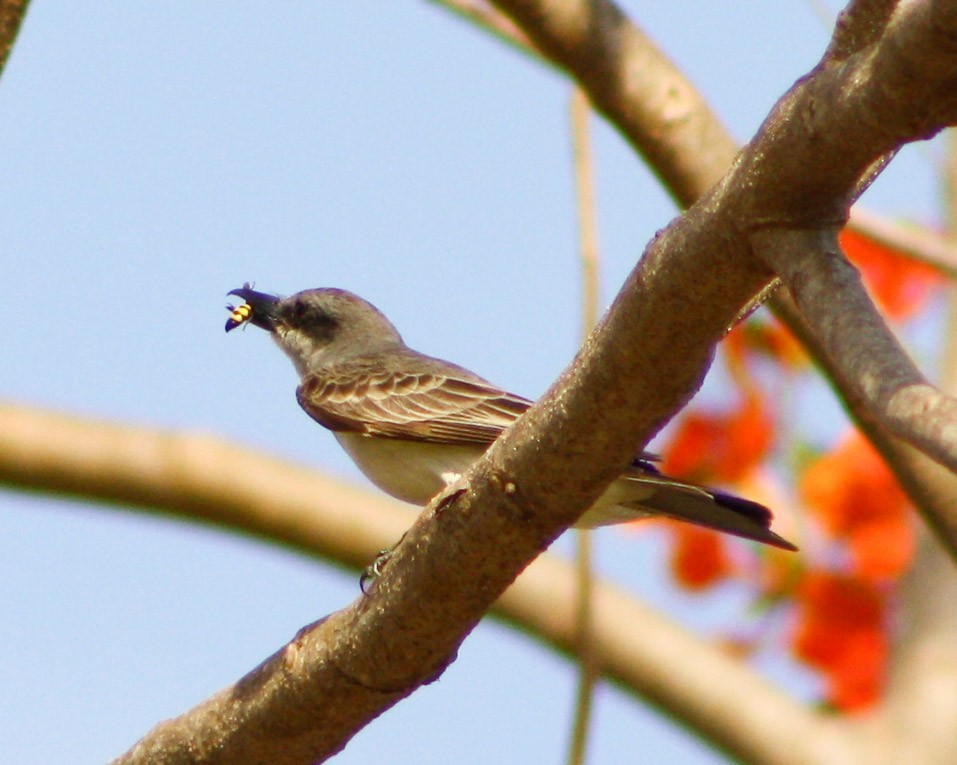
column 416, row 406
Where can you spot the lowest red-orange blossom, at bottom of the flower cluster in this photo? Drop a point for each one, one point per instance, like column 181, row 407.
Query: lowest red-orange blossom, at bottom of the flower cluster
column 841, row 632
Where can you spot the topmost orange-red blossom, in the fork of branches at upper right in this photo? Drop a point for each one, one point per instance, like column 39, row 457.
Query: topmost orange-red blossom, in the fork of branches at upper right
column 899, row 284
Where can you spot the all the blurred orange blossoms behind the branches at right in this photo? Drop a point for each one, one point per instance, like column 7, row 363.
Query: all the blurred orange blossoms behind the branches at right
column 856, row 527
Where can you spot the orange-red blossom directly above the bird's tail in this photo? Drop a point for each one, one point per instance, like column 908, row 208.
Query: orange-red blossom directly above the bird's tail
column 721, row 448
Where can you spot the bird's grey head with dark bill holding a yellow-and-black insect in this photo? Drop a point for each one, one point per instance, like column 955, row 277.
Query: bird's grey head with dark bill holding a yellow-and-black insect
column 315, row 327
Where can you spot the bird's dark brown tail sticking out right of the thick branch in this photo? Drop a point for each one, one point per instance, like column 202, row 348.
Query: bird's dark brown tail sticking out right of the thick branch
column 661, row 496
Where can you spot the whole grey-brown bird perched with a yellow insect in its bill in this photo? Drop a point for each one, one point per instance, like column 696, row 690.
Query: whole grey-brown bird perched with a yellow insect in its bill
column 413, row 424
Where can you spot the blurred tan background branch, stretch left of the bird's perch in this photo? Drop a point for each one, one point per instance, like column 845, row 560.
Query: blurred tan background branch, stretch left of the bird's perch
column 197, row 477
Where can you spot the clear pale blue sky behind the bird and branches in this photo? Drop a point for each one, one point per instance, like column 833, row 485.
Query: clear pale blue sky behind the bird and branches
column 156, row 155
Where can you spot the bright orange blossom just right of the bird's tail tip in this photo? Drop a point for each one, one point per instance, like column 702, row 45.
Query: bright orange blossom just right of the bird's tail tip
column 857, row 499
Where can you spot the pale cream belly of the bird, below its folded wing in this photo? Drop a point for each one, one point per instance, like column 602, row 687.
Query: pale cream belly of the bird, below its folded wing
column 408, row 470
